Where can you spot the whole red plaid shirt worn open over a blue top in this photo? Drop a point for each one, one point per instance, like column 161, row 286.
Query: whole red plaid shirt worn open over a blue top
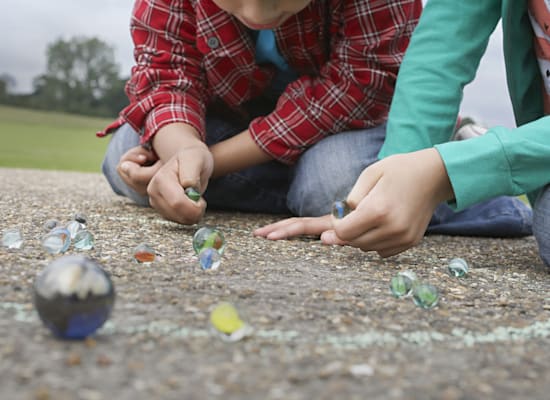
column 190, row 53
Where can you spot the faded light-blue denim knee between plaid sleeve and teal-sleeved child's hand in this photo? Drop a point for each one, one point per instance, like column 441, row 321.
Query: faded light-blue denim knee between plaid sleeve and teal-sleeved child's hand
column 328, row 170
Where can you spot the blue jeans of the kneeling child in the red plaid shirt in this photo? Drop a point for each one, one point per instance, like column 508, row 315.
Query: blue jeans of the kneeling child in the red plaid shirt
column 325, row 172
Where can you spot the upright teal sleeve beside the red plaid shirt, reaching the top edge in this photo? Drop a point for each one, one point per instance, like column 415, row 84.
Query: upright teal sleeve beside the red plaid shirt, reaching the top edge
column 442, row 58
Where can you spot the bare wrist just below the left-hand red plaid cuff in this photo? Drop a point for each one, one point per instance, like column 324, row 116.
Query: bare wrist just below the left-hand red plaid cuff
column 174, row 137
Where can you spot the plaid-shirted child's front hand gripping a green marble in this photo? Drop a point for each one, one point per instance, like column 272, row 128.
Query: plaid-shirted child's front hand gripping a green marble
column 189, row 167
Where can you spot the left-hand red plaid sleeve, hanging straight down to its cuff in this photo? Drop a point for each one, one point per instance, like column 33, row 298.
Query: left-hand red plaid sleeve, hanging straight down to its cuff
column 166, row 84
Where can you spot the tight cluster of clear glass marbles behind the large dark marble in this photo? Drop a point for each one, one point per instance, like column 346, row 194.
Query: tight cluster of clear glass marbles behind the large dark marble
column 58, row 237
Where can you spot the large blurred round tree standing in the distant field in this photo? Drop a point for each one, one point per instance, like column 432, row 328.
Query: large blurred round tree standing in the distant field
column 80, row 72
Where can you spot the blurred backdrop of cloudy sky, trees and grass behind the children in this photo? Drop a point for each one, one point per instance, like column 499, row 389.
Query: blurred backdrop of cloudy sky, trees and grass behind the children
column 45, row 65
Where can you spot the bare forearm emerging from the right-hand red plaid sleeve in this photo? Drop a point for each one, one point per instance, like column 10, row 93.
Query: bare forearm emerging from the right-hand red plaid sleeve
column 236, row 153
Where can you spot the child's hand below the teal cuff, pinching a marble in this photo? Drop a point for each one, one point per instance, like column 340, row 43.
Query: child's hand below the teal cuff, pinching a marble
column 394, row 200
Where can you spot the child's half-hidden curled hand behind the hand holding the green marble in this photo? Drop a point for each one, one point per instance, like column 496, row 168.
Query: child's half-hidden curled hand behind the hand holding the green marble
column 137, row 167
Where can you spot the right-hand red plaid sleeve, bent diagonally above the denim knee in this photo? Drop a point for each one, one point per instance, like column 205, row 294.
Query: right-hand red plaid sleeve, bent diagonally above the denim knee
column 353, row 89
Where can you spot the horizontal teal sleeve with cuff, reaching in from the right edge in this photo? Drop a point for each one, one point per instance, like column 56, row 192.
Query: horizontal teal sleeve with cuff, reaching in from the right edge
column 501, row 162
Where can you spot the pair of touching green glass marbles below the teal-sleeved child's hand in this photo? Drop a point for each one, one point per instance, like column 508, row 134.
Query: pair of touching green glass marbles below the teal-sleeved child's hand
column 406, row 284
